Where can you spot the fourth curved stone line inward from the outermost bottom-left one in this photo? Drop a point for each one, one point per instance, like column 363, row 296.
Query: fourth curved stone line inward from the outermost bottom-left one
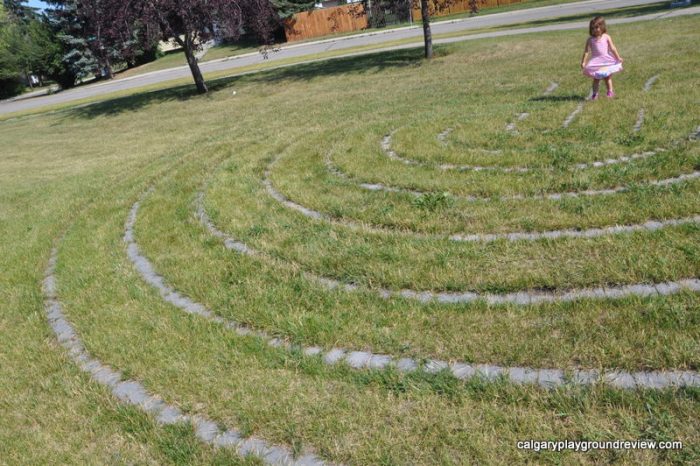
column 651, row 225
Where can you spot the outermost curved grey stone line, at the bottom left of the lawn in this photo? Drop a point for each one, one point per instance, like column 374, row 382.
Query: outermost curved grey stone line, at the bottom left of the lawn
column 134, row 393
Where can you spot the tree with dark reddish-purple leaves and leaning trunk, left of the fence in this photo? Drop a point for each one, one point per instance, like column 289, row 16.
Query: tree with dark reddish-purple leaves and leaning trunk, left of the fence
column 192, row 23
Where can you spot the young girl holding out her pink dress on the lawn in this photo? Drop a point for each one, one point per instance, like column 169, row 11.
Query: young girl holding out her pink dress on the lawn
column 604, row 57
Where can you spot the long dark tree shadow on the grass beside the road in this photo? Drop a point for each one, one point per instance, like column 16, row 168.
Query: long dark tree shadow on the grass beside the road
column 362, row 64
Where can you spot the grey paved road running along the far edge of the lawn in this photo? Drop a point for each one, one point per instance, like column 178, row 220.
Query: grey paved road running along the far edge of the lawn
column 349, row 42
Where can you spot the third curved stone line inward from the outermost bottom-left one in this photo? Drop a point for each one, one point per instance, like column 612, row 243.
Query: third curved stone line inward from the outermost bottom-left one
column 521, row 298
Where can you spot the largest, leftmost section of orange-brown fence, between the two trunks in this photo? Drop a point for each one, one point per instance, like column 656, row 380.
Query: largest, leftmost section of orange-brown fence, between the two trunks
column 325, row 21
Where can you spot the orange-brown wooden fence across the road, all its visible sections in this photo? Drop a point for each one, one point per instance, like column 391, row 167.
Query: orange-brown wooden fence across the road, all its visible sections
column 347, row 18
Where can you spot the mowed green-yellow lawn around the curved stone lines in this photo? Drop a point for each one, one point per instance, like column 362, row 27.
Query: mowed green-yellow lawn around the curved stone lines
column 319, row 135
